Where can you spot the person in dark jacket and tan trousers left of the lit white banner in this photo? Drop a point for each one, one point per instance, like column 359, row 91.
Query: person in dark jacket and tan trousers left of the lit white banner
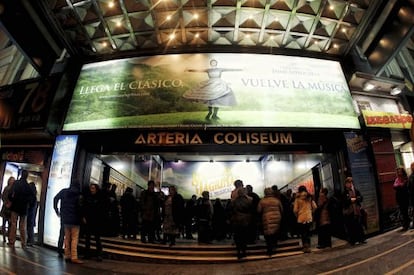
column 20, row 198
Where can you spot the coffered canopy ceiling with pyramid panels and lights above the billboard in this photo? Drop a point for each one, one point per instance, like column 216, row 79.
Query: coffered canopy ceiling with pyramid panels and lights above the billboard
column 106, row 27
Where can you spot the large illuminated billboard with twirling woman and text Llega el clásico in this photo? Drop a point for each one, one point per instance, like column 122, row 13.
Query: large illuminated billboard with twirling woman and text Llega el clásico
column 211, row 90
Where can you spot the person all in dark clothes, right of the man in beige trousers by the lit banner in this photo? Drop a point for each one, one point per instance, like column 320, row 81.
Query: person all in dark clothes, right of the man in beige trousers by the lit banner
column 94, row 211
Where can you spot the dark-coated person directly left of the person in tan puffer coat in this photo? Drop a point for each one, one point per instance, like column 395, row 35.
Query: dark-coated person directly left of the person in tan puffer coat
column 240, row 220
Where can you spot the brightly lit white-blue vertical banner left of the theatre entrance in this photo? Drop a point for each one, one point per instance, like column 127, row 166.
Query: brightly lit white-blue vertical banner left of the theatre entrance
column 59, row 178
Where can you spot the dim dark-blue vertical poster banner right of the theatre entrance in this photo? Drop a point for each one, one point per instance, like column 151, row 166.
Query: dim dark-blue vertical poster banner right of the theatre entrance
column 363, row 176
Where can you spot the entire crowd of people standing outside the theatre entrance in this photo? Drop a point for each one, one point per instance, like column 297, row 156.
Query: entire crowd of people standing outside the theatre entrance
column 162, row 218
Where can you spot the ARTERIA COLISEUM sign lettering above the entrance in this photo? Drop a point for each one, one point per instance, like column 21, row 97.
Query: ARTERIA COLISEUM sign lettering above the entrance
column 185, row 138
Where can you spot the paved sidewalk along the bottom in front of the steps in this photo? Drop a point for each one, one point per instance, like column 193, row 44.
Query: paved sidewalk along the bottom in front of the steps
column 44, row 261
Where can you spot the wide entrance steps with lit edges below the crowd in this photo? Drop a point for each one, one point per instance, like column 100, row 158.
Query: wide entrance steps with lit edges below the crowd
column 189, row 251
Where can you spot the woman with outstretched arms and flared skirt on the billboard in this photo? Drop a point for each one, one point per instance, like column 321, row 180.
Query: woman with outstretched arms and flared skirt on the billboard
column 214, row 91
